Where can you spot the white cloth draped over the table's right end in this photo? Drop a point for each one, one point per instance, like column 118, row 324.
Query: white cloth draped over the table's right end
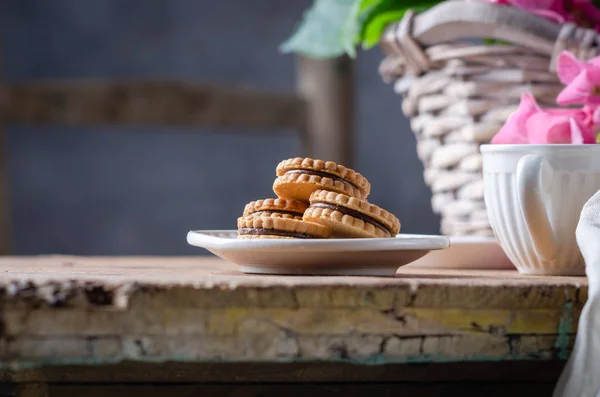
column 581, row 375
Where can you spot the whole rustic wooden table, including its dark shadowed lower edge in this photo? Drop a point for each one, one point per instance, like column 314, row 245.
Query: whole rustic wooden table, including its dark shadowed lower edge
column 196, row 326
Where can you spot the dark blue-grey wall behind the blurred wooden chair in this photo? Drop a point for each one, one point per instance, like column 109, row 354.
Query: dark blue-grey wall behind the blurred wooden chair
column 138, row 191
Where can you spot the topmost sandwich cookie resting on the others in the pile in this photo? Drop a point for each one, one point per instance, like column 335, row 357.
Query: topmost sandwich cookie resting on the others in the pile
column 298, row 178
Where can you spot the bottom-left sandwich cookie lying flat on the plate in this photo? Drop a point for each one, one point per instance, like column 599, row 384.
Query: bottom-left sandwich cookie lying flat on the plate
column 280, row 228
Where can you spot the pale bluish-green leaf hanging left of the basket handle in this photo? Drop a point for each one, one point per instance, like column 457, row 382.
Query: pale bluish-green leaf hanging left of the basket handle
column 329, row 28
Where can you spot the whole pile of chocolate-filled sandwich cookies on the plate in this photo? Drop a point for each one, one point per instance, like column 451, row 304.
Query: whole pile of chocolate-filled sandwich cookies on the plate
column 317, row 199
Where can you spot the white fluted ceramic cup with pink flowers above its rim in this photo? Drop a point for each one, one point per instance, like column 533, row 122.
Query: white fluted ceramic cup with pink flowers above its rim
column 534, row 195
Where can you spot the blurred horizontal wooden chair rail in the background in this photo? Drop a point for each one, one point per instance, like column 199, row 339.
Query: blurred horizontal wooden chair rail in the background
column 153, row 103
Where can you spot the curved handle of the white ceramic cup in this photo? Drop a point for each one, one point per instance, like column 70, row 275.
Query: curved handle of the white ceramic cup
column 534, row 175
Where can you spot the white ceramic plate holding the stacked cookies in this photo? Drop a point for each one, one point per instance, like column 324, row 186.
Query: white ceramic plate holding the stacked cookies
column 376, row 256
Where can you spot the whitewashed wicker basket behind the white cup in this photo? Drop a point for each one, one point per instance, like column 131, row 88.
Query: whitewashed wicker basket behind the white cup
column 458, row 91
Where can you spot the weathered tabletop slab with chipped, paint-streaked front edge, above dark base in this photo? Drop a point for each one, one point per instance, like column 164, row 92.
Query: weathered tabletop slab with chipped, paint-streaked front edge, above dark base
column 71, row 310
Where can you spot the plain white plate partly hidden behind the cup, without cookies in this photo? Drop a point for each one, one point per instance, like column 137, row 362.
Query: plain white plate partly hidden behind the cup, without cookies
column 467, row 253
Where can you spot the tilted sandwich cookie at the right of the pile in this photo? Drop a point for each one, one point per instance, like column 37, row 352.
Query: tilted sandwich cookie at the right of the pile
column 350, row 216
